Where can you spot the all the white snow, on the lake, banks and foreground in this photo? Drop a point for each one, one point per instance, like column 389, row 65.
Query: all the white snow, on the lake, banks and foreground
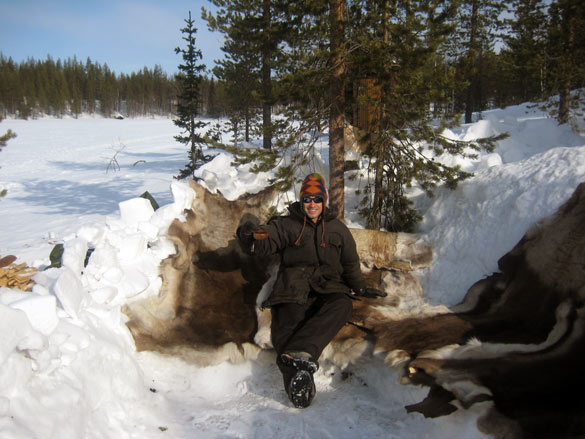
column 68, row 364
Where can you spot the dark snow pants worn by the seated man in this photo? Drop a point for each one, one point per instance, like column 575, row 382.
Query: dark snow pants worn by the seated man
column 308, row 327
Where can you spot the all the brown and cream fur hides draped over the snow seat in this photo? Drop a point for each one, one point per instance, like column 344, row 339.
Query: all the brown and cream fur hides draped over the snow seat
column 515, row 341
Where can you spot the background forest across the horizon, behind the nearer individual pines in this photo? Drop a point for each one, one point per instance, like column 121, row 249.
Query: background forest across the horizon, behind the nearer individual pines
column 531, row 55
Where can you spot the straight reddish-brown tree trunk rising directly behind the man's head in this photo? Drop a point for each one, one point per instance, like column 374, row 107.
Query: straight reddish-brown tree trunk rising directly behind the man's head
column 337, row 102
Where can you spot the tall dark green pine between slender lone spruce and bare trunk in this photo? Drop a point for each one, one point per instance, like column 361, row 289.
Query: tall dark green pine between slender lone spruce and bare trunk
column 255, row 32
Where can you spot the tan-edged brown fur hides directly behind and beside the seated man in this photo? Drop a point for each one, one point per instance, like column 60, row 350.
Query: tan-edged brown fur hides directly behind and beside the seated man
column 207, row 308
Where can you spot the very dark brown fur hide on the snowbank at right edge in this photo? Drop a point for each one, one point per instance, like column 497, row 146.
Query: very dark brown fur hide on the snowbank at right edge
column 530, row 320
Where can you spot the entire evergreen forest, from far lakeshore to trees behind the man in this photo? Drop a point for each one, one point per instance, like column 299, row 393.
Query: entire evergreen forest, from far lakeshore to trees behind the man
column 399, row 71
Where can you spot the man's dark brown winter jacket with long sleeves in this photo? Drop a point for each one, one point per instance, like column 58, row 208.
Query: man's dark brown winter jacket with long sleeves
column 324, row 262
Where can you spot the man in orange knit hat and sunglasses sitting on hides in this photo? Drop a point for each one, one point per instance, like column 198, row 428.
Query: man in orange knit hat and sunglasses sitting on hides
column 311, row 299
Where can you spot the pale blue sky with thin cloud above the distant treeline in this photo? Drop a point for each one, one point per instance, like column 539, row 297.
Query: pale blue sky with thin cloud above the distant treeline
column 125, row 34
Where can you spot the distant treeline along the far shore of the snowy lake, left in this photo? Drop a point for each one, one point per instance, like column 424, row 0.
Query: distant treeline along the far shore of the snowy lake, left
column 71, row 87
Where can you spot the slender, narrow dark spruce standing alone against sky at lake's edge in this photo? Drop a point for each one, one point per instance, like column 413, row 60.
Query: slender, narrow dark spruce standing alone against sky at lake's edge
column 189, row 102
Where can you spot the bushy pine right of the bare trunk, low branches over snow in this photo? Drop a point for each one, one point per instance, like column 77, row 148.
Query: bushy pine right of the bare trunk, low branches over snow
column 398, row 61
